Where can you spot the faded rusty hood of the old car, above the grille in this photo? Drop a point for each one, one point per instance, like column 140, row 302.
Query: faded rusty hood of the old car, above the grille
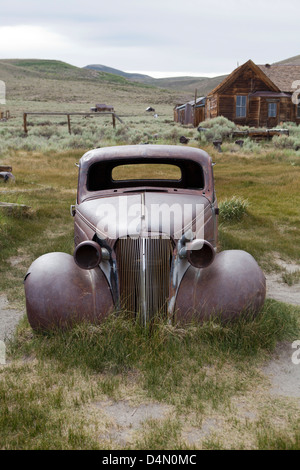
column 146, row 213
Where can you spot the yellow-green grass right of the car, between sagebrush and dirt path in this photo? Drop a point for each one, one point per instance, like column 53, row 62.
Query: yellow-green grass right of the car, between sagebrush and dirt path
column 272, row 221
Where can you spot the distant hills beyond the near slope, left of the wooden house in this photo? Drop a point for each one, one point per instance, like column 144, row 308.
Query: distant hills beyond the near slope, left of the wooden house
column 183, row 84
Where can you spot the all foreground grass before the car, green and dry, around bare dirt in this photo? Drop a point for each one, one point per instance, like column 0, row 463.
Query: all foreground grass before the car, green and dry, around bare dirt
column 56, row 375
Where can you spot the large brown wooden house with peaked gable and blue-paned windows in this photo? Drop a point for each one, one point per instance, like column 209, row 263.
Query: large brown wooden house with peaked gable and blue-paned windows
column 257, row 95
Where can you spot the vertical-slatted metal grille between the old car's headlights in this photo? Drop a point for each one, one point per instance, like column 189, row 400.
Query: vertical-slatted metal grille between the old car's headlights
column 144, row 275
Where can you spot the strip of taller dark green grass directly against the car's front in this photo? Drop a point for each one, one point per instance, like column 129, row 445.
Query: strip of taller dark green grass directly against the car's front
column 120, row 344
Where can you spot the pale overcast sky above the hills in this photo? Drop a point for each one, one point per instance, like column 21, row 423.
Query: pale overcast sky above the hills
column 196, row 37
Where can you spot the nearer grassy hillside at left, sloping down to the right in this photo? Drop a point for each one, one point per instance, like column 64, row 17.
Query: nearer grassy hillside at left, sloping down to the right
column 30, row 83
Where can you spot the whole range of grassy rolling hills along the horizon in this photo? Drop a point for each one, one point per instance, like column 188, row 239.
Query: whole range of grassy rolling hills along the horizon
column 30, row 83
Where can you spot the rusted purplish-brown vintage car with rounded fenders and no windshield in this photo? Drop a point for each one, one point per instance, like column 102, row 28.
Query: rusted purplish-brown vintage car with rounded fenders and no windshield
column 145, row 232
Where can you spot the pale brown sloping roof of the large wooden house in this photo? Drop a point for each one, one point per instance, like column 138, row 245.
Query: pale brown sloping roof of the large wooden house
column 282, row 75
